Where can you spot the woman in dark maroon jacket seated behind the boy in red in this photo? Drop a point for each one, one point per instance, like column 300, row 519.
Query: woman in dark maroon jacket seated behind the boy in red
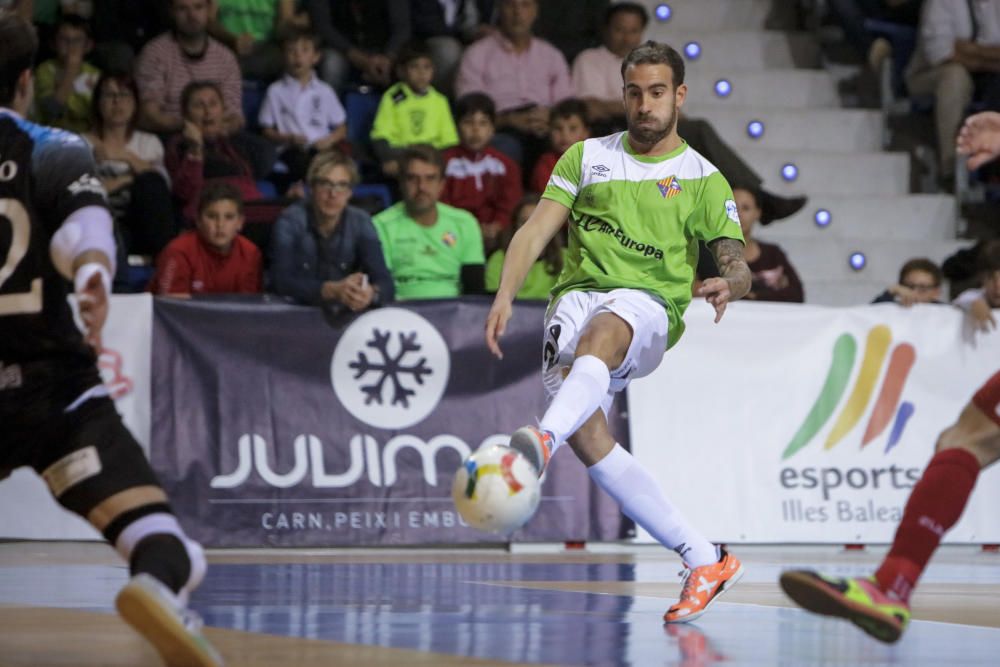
column 204, row 152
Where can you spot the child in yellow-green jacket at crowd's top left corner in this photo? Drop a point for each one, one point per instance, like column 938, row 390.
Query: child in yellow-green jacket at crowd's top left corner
column 64, row 85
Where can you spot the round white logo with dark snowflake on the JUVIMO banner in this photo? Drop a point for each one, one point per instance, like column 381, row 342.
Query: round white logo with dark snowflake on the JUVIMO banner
column 390, row 368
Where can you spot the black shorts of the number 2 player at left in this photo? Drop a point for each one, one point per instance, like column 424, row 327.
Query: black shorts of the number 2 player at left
column 86, row 454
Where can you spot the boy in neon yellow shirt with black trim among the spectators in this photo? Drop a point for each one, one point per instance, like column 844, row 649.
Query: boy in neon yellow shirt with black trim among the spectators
column 411, row 111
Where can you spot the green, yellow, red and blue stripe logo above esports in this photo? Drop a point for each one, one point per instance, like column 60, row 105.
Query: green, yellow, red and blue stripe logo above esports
column 887, row 402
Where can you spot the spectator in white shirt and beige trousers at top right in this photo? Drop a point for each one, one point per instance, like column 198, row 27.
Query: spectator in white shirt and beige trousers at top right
column 958, row 52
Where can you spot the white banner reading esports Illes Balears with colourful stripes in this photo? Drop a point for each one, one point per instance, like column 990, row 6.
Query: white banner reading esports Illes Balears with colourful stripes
column 788, row 423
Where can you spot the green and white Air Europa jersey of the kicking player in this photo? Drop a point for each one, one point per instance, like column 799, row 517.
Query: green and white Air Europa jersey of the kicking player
column 635, row 221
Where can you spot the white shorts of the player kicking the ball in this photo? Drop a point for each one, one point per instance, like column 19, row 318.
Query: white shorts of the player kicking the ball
column 567, row 319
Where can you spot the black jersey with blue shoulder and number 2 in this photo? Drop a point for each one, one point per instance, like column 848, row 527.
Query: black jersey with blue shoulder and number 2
column 45, row 175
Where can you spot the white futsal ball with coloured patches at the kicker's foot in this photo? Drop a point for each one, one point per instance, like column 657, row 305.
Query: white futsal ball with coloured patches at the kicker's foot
column 496, row 489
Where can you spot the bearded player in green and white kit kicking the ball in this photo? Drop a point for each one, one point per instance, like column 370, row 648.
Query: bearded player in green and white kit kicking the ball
column 638, row 202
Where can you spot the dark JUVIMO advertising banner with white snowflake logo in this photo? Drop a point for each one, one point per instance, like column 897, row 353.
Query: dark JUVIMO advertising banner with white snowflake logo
column 277, row 425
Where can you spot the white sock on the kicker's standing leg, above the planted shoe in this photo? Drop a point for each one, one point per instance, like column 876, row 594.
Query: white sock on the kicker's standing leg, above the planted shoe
column 625, row 480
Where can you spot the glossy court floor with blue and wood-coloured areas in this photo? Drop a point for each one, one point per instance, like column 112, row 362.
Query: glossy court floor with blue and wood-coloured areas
column 304, row 608
